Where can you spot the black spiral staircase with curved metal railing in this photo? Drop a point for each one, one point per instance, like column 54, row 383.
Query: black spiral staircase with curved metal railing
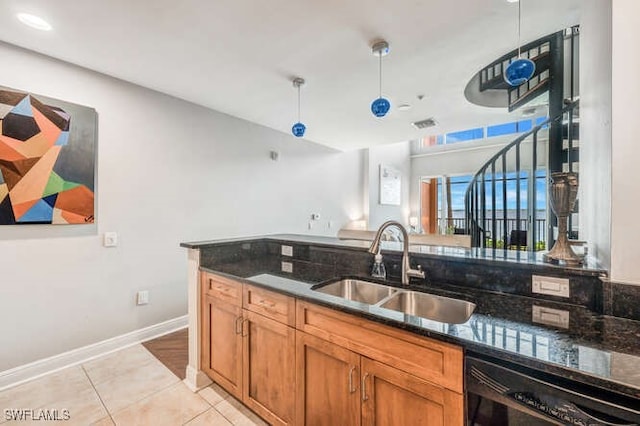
column 506, row 200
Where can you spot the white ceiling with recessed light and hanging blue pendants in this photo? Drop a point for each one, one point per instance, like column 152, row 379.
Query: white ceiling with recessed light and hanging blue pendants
column 239, row 56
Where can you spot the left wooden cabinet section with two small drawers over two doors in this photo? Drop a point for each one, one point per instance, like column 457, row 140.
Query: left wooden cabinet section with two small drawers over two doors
column 248, row 345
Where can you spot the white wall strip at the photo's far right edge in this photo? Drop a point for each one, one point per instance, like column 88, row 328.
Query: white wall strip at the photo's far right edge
column 625, row 173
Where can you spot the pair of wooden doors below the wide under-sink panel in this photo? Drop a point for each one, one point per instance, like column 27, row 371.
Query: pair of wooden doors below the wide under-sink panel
column 339, row 387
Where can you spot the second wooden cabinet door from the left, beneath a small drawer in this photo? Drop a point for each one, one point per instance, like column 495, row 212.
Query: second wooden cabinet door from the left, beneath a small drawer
column 269, row 368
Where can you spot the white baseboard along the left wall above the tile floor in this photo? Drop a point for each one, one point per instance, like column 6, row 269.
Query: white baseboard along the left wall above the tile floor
column 27, row 372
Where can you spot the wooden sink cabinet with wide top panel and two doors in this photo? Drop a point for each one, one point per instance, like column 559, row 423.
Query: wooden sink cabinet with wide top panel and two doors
column 395, row 378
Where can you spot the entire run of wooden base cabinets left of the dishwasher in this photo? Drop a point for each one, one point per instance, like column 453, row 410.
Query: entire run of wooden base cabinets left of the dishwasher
column 331, row 369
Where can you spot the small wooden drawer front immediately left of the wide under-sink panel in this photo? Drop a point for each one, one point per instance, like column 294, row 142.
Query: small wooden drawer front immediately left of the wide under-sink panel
column 272, row 305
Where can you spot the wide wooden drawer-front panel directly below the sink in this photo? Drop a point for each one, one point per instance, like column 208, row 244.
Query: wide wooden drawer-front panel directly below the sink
column 434, row 361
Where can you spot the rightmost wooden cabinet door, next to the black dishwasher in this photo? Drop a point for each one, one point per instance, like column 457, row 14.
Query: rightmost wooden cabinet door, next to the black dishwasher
column 393, row 397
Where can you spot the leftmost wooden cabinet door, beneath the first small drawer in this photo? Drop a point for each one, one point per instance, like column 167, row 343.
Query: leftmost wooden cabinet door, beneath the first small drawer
column 222, row 351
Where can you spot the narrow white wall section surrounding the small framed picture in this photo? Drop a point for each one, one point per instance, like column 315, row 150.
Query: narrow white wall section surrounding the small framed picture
column 398, row 156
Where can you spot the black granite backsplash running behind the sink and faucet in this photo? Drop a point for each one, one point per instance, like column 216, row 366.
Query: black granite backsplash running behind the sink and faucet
column 317, row 263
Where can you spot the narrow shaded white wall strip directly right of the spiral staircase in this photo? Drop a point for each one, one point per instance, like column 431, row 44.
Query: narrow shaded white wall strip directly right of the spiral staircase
column 595, row 128
